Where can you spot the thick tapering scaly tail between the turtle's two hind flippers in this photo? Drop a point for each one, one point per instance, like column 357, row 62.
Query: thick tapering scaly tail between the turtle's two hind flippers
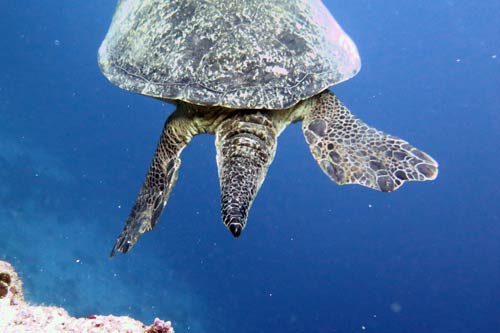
column 246, row 143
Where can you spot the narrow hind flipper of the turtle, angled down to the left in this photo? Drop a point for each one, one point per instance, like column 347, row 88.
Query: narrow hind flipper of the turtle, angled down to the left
column 160, row 179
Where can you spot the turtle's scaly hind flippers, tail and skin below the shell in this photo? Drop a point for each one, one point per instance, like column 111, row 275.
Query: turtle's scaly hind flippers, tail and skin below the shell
column 346, row 149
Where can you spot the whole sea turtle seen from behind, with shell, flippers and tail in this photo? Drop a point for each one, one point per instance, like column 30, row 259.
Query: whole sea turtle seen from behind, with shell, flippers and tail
column 245, row 70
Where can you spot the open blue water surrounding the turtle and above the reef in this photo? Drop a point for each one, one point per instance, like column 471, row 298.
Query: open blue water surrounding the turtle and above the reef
column 315, row 257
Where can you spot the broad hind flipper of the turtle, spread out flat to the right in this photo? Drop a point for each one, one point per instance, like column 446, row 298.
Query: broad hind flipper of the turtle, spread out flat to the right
column 351, row 152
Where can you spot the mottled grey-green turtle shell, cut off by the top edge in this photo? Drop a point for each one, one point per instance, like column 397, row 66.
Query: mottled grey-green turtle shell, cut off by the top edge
column 237, row 54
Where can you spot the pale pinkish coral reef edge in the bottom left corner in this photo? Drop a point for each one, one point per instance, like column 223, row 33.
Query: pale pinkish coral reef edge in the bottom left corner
column 18, row 316
